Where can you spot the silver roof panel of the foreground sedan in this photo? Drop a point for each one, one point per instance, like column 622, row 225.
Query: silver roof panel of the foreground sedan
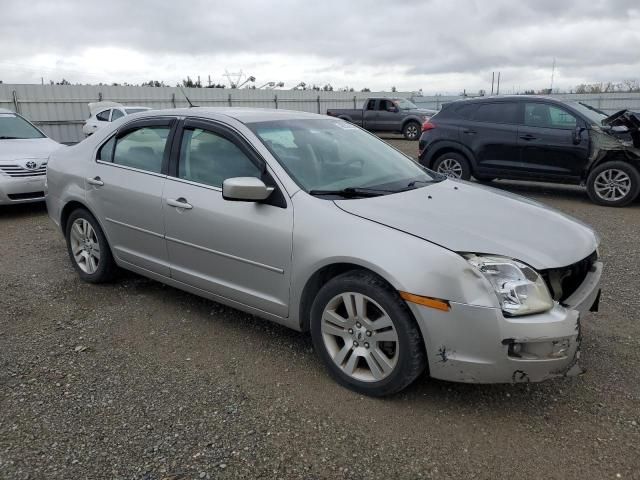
column 244, row 115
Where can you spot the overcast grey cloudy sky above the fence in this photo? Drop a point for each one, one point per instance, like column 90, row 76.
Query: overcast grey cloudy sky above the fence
column 439, row 46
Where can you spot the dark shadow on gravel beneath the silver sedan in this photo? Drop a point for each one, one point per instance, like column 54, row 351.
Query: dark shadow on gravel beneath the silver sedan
column 424, row 393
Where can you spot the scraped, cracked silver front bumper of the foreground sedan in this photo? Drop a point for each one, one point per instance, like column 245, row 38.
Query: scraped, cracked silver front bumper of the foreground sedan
column 480, row 345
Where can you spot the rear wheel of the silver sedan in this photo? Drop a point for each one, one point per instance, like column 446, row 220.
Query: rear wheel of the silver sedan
column 88, row 248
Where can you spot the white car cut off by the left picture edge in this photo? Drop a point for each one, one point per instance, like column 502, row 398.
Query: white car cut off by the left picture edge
column 24, row 152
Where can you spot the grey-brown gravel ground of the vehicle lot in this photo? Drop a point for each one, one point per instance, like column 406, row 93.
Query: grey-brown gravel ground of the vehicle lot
column 138, row 380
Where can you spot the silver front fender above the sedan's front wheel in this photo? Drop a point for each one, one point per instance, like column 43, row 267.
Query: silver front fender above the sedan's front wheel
column 326, row 235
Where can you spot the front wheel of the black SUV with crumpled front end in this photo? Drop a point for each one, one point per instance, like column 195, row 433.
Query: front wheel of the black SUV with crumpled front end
column 614, row 184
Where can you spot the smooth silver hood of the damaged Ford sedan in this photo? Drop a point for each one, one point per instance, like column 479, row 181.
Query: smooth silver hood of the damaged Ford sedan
column 468, row 218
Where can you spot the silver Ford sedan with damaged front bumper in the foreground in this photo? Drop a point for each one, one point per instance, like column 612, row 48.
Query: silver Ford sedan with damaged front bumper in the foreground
column 313, row 223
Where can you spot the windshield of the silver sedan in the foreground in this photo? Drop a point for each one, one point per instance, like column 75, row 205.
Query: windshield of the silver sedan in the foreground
column 332, row 154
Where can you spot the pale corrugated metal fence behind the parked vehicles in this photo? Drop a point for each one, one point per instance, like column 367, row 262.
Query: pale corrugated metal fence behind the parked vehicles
column 60, row 110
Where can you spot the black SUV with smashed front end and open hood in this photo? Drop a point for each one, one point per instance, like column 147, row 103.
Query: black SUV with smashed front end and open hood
column 537, row 138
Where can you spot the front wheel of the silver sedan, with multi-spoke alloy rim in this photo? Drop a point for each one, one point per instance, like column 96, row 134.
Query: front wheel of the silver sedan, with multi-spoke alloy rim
column 366, row 335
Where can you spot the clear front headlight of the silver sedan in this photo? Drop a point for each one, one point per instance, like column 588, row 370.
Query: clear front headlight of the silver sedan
column 520, row 289
